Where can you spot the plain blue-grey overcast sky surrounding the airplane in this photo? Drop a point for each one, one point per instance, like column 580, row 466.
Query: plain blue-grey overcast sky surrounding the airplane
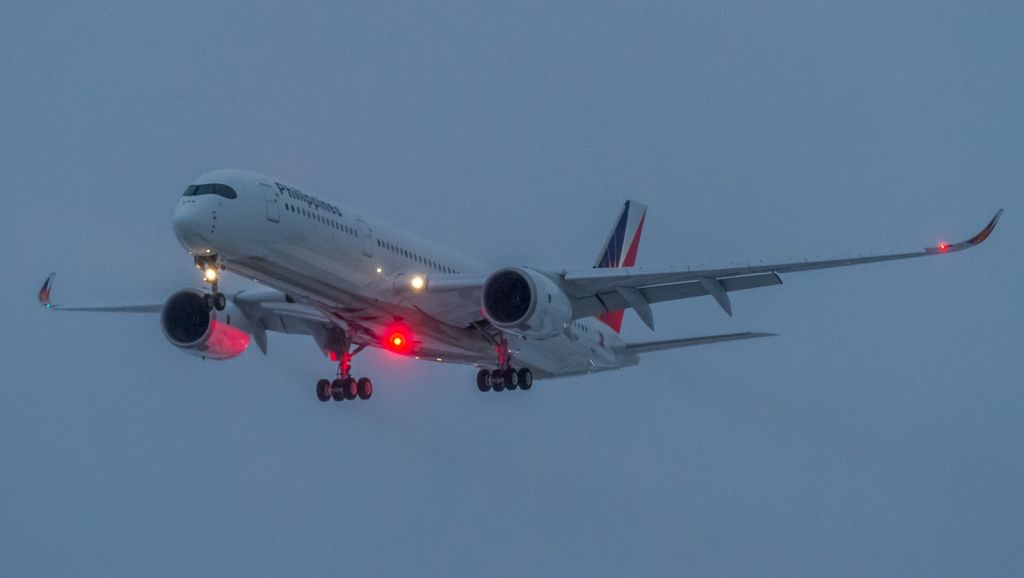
column 880, row 435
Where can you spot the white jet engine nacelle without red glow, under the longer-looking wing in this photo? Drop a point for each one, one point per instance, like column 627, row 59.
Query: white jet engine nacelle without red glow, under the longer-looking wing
column 526, row 303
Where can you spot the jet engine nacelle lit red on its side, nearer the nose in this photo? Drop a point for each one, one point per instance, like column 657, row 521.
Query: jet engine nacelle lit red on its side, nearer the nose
column 197, row 331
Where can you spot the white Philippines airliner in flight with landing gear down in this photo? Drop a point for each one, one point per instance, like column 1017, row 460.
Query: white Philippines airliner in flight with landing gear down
column 353, row 282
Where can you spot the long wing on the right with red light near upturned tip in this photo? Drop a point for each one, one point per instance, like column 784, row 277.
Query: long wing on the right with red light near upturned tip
column 599, row 291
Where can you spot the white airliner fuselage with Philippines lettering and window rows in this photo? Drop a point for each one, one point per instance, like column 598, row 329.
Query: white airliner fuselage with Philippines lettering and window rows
column 345, row 263
